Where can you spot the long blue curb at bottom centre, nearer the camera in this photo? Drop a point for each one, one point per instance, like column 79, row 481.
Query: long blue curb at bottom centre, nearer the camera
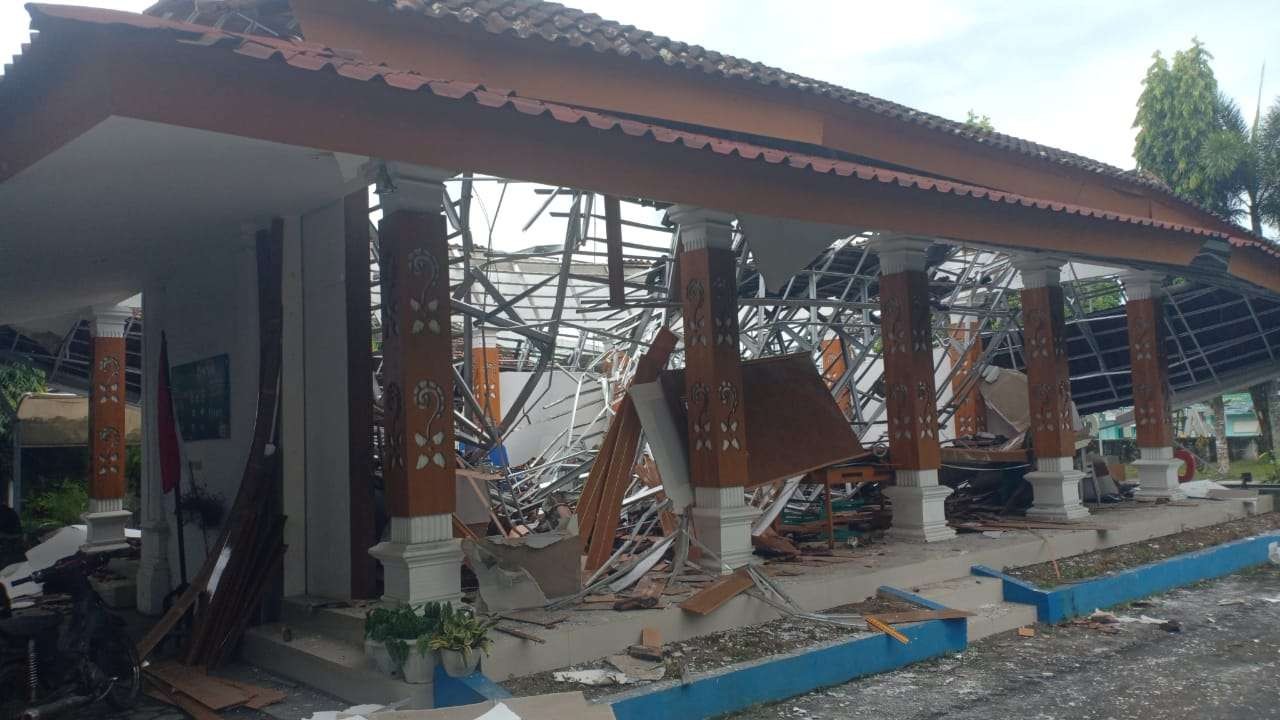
column 779, row 678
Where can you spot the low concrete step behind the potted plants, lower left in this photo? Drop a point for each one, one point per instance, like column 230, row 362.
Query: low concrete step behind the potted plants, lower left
column 335, row 667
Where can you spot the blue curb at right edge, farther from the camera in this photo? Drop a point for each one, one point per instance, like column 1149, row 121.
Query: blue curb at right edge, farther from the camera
column 1078, row 599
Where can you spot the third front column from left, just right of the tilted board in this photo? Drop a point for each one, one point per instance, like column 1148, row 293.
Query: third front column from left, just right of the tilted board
column 911, row 395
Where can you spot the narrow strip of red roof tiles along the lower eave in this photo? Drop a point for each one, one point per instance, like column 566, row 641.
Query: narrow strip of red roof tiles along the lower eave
column 312, row 57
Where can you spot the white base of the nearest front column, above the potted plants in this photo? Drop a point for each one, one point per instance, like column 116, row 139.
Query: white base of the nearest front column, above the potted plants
column 422, row 562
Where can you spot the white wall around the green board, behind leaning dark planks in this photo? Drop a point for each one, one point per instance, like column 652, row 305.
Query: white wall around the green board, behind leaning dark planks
column 208, row 306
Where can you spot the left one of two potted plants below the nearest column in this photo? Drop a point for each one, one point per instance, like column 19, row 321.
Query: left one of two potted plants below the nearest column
column 397, row 640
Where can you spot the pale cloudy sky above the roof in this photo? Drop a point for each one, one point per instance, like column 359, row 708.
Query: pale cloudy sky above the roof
column 1064, row 74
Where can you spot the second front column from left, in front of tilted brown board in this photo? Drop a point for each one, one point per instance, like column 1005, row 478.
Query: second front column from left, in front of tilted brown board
column 714, row 382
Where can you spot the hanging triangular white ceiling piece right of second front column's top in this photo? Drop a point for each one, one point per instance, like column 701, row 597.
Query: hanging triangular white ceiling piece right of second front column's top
column 784, row 248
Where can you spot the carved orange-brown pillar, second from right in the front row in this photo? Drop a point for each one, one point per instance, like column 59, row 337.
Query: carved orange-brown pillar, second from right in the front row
column 1057, row 482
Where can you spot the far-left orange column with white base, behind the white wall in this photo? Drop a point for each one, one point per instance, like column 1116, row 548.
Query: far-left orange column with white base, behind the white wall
column 107, row 516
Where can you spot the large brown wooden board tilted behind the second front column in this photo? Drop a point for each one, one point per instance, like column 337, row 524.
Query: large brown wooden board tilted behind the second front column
column 790, row 417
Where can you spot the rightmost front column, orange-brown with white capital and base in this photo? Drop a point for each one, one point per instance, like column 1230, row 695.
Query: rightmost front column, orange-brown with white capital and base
column 1158, row 471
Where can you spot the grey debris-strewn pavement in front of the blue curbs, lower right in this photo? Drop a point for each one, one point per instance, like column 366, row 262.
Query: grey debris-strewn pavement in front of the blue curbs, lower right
column 1222, row 666
